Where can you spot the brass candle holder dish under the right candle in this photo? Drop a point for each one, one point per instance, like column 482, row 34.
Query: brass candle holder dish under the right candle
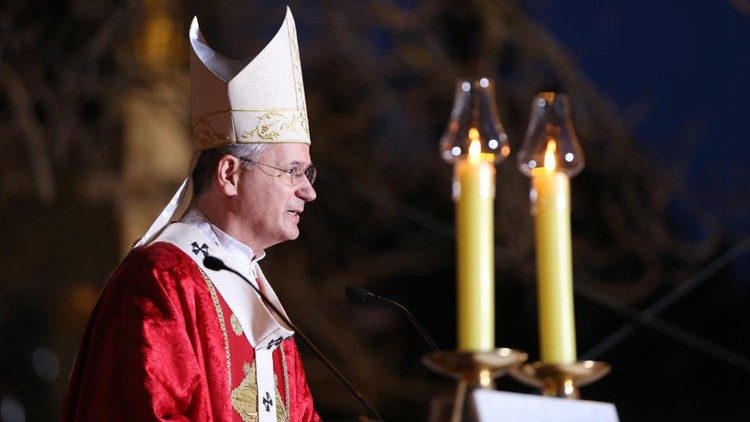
column 561, row 379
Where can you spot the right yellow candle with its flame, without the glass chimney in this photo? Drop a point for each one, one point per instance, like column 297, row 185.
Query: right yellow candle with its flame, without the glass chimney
column 551, row 209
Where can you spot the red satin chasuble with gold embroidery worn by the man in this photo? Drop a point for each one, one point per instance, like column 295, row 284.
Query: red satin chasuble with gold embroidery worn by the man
column 162, row 344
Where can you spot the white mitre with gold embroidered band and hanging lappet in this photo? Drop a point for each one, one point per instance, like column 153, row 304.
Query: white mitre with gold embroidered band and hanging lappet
column 255, row 100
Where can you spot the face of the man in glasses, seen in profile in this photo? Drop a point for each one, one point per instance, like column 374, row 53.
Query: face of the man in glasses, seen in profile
column 268, row 204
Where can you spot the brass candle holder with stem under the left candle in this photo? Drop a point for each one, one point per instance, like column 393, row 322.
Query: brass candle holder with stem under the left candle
column 472, row 370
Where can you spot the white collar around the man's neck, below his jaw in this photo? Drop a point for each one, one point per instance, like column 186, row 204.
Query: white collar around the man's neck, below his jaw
column 240, row 255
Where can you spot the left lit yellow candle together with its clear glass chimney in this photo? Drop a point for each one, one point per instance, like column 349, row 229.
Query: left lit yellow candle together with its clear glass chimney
column 474, row 141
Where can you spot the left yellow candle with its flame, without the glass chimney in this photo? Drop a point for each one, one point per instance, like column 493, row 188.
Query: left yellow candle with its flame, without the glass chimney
column 474, row 192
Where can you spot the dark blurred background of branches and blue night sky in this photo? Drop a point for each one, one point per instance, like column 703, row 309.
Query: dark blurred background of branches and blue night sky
column 94, row 139
